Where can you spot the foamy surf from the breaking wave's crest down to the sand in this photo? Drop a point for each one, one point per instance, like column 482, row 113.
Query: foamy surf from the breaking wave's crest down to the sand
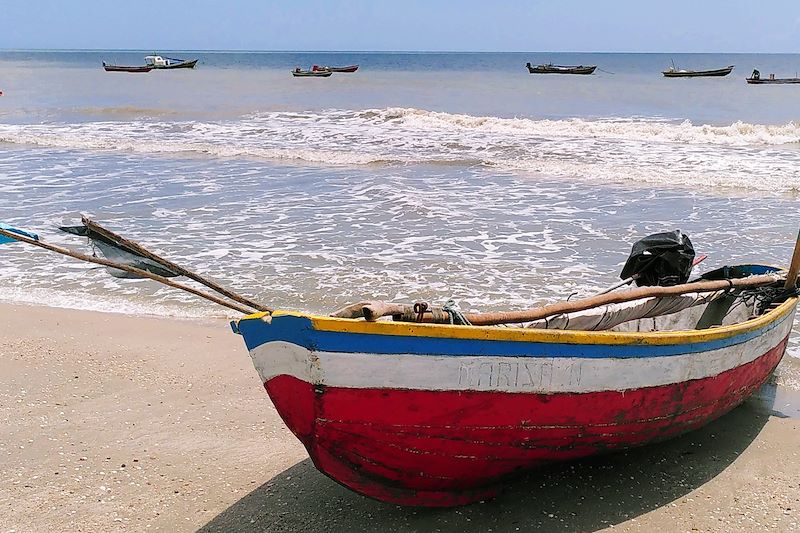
column 500, row 214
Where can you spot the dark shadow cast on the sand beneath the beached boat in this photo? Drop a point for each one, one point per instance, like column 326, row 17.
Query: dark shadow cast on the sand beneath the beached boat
column 579, row 496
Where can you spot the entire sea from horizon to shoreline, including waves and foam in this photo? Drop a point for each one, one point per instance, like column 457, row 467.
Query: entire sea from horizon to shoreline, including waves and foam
column 421, row 176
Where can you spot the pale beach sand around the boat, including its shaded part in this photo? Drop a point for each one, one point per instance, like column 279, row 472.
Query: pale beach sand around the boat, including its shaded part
column 112, row 422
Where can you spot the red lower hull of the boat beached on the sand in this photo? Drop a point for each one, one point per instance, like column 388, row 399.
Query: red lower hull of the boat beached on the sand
column 446, row 448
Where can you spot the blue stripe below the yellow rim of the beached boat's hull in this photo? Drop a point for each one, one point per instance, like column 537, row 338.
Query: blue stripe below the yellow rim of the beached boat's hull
column 300, row 331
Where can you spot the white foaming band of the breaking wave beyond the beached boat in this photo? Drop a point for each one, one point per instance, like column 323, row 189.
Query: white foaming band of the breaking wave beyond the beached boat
column 641, row 150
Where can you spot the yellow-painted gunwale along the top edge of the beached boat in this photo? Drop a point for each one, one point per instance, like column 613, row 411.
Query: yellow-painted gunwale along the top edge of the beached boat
column 532, row 335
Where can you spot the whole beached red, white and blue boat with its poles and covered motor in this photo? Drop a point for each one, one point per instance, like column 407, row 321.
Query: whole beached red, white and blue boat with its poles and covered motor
column 418, row 405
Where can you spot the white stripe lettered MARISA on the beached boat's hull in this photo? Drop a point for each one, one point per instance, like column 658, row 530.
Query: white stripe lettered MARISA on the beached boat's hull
column 504, row 374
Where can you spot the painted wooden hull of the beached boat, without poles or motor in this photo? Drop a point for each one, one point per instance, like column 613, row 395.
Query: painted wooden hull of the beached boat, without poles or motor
column 440, row 415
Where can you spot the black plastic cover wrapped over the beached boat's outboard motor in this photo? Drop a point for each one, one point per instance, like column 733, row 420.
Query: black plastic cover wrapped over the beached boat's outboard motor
column 660, row 259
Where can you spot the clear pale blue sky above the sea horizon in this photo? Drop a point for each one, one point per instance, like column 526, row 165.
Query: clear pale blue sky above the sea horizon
column 468, row 25
